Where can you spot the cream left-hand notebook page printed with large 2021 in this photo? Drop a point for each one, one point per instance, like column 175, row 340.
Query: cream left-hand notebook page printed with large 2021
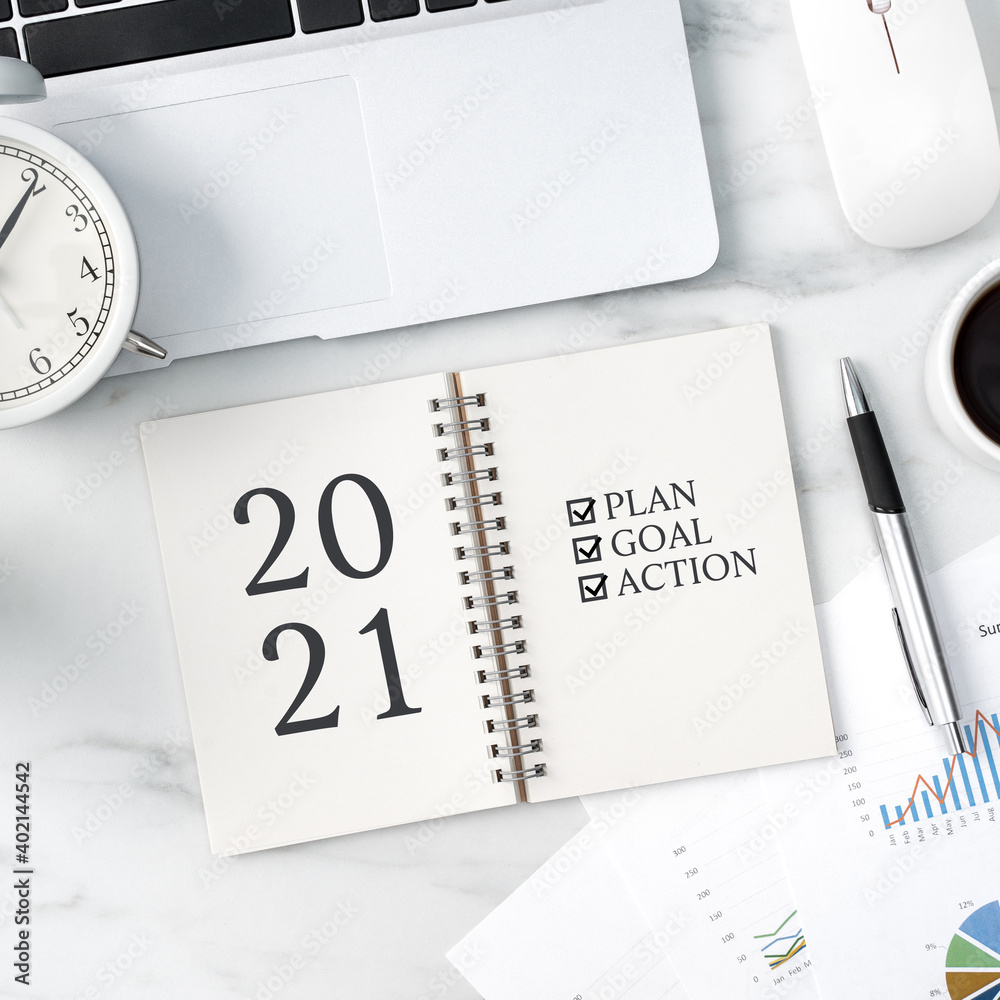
column 346, row 488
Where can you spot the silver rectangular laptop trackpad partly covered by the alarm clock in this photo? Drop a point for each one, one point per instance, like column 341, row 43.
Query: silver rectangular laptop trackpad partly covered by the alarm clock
column 259, row 201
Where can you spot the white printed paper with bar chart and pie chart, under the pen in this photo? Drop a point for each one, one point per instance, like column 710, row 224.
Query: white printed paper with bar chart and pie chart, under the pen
column 894, row 850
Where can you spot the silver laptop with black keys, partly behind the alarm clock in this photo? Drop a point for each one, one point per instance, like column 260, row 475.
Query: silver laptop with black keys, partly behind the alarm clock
column 322, row 168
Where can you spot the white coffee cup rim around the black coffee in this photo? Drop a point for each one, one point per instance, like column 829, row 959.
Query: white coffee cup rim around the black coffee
column 939, row 373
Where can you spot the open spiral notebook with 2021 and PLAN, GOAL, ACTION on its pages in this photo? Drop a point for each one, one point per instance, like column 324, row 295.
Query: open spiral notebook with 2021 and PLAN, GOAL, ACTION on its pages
column 518, row 583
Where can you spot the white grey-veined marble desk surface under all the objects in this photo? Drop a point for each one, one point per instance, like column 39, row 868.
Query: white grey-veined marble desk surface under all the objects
column 128, row 905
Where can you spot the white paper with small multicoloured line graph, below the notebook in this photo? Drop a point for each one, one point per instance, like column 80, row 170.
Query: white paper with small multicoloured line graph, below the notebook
column 706, row 849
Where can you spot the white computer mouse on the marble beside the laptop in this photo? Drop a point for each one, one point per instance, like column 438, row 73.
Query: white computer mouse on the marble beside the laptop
column 905, row 113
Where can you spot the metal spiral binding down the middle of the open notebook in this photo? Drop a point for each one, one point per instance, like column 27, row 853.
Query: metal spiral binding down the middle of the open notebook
column 466, row 431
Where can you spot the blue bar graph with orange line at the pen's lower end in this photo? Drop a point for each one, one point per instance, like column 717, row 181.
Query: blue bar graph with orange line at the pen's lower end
column 962, row 779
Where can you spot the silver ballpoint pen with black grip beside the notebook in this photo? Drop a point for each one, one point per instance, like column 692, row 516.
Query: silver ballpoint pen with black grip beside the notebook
column 913, row 613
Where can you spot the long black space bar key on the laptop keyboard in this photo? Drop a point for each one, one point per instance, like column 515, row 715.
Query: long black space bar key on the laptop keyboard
column 153, row 31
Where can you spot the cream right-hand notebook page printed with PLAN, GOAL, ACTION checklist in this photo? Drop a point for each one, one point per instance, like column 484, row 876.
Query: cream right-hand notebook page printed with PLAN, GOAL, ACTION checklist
column 659, row 562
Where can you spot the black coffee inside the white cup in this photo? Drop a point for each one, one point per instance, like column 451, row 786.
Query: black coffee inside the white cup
column 977, row 363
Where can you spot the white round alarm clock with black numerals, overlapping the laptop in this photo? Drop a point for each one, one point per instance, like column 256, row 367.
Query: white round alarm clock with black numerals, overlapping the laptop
column 69, row 269
